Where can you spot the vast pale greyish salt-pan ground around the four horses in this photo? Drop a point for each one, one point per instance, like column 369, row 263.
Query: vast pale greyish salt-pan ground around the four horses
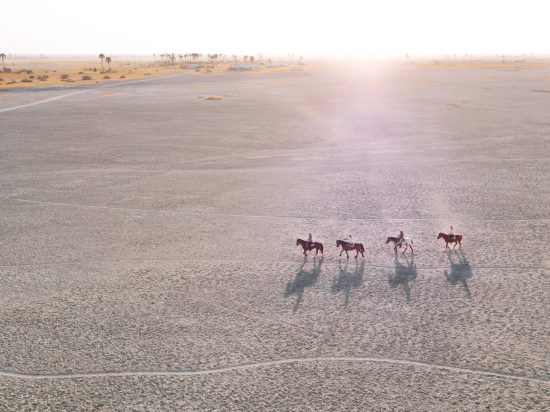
column 147, row 255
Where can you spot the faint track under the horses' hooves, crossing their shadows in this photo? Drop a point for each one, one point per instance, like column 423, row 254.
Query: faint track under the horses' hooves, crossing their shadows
column 235, row 261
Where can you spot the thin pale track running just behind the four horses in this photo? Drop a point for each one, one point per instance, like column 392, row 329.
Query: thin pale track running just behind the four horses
column 250, row 216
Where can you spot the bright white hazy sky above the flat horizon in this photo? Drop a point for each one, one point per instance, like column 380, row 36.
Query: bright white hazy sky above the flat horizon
column 332, row 27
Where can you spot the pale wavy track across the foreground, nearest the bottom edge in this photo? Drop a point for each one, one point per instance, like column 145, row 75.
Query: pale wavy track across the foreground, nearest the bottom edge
column 191, row 372
